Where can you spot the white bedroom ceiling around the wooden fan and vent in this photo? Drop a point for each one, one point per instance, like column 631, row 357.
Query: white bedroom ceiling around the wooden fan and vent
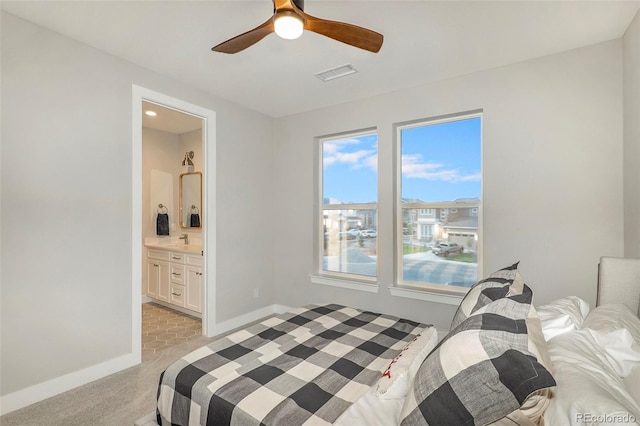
column 424, row 41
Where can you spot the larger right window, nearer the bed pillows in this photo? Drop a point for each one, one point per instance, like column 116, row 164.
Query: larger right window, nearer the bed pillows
column 440, row 173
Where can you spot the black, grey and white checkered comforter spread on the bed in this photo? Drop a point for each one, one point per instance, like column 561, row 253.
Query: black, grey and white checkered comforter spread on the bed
column 304, row 367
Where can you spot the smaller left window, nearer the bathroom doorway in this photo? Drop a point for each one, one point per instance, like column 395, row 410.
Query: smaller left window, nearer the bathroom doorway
column 349, row 191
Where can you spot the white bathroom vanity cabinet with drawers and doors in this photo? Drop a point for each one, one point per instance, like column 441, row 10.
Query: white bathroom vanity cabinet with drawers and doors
column 175, row 277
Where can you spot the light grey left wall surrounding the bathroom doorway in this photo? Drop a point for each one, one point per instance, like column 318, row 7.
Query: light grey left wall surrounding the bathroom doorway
column 66, row 204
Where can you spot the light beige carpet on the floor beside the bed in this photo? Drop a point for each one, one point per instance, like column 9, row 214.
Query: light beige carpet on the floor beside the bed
column 116, row 400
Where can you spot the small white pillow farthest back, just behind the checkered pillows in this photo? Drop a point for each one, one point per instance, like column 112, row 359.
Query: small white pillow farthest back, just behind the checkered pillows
column 562, row 315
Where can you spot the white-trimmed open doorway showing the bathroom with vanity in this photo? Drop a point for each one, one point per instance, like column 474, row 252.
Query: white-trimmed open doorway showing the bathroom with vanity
column 173, row 221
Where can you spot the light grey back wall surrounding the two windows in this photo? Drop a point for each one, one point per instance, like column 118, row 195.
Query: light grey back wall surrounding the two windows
column 552, row 176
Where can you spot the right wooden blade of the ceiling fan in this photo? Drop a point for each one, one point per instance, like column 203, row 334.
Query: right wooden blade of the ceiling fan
column 346, row 33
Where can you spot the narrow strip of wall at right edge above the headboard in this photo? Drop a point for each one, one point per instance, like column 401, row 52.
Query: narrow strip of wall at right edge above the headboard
column 631, row 46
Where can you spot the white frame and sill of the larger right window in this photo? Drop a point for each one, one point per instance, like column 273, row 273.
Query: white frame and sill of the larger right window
column 418, row 289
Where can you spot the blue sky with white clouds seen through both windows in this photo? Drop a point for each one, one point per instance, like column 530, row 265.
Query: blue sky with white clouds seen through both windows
column 440, row 162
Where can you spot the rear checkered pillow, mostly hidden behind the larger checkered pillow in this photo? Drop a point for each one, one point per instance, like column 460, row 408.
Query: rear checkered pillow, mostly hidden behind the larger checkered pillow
column 502, row 283
